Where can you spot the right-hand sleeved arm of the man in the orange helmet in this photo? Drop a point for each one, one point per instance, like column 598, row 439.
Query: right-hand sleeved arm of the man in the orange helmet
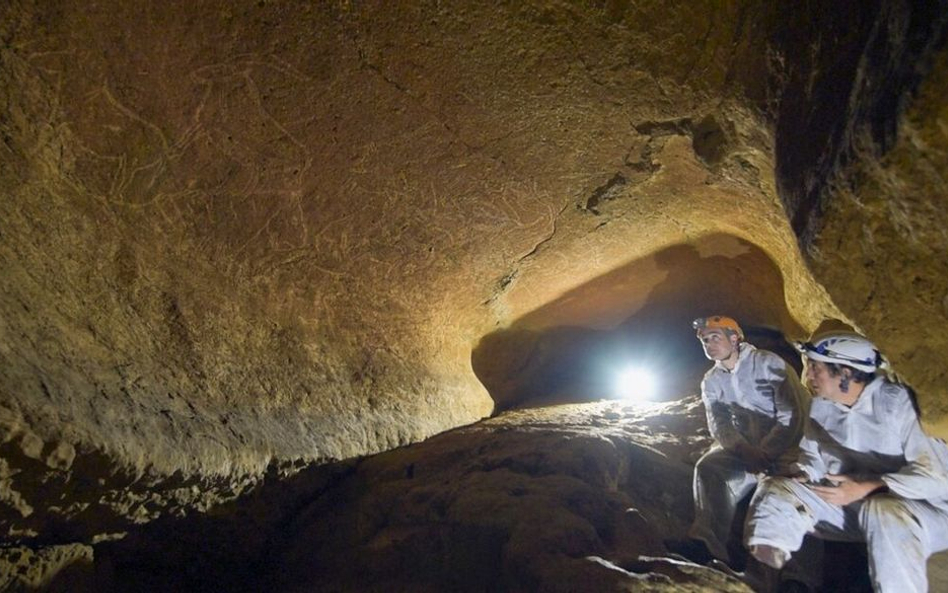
column 791, row 411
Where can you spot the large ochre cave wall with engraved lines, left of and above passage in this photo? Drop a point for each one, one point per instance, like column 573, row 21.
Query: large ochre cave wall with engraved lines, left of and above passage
column 243, row 235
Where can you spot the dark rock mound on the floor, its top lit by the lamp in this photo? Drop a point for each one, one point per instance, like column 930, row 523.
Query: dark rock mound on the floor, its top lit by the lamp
column 547, row 487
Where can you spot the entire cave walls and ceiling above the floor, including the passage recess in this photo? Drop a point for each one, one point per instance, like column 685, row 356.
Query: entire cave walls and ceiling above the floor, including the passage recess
column 241, row 237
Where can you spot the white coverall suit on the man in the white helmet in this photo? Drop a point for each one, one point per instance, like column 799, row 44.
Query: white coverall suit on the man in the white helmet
column 879, row 437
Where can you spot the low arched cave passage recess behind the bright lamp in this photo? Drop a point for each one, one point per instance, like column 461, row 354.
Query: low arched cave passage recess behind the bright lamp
column 572, row 349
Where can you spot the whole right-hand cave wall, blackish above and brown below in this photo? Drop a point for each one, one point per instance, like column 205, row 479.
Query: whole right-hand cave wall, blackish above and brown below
column 862, row 166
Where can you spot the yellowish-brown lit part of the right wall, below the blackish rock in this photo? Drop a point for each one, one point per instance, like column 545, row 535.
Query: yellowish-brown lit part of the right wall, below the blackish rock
column 891, row 213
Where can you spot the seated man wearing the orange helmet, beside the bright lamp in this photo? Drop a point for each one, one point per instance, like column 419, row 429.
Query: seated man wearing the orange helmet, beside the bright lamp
column 756, row 411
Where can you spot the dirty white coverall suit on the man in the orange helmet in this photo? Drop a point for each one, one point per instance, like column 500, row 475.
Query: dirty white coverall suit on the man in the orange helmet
column 760, row 404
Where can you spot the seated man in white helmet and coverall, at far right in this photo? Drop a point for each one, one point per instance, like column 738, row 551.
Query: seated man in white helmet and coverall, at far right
column 867, row 472
